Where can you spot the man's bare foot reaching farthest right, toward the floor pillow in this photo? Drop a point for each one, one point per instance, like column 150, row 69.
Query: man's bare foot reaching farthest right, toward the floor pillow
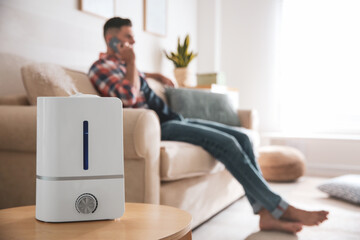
column 309, row 218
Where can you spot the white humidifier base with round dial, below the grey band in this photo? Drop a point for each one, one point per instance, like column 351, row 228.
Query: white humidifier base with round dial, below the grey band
column 79, row 200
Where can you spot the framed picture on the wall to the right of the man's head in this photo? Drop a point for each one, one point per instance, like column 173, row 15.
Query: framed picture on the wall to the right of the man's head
column 155, row 17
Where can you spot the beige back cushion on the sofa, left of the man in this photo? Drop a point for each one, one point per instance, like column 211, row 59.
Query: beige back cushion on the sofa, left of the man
column 46, row 79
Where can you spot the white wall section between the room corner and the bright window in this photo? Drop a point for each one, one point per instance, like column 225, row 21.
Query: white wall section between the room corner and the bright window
column 248, row 54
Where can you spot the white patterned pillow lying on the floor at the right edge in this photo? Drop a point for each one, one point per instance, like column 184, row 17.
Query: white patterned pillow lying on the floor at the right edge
column 346, row 187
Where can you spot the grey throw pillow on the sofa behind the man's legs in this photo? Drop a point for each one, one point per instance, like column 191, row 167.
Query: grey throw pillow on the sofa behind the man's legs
column 203, row 105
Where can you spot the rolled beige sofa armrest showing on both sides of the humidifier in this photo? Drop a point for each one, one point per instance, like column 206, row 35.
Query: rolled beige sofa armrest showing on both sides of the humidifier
column 141, row 131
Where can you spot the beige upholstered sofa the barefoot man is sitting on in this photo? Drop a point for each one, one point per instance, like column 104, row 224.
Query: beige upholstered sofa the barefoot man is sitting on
column 157, row 172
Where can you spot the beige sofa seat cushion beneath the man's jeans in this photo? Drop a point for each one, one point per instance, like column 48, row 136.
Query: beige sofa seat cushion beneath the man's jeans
column 183, row 160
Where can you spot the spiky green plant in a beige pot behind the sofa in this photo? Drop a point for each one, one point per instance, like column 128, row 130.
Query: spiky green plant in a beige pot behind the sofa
column 181, row 60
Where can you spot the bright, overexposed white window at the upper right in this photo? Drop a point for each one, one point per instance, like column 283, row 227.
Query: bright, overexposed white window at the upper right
column 320, row 66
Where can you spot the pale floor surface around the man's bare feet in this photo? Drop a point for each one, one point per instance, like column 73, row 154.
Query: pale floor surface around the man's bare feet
column 238, row 221
